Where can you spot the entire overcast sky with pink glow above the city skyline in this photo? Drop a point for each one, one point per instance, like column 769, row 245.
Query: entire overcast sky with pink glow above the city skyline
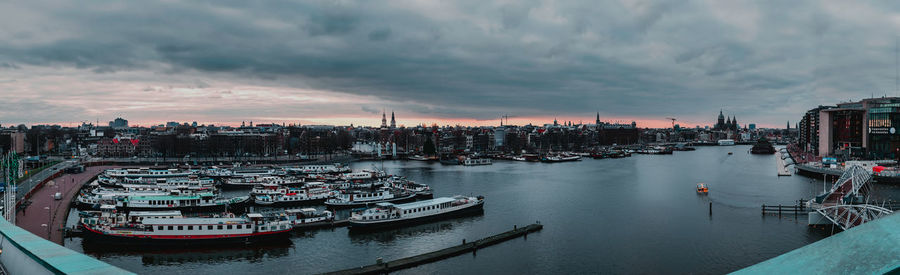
column 445, row 62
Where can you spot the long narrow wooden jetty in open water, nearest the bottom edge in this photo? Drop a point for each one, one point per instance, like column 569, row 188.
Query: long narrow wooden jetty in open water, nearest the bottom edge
column 386, row 267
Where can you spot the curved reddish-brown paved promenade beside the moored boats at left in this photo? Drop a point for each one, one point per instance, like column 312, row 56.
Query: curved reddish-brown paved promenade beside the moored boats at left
column 45, row 216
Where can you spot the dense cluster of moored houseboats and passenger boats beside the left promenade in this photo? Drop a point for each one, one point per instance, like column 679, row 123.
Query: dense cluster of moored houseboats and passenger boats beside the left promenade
column 184, row 206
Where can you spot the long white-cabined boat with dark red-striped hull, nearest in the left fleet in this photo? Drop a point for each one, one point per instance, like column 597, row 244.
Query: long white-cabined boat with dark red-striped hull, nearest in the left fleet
column 172, row 228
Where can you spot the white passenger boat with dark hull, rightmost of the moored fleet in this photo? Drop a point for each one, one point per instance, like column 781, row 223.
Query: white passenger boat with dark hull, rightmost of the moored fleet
column 389, row 214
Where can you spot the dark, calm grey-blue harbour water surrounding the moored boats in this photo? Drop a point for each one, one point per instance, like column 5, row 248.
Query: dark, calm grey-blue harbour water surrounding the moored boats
column 633, row 215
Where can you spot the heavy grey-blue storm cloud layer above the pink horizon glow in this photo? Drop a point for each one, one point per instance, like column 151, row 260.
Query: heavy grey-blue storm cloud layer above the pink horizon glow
column 480, row 59
